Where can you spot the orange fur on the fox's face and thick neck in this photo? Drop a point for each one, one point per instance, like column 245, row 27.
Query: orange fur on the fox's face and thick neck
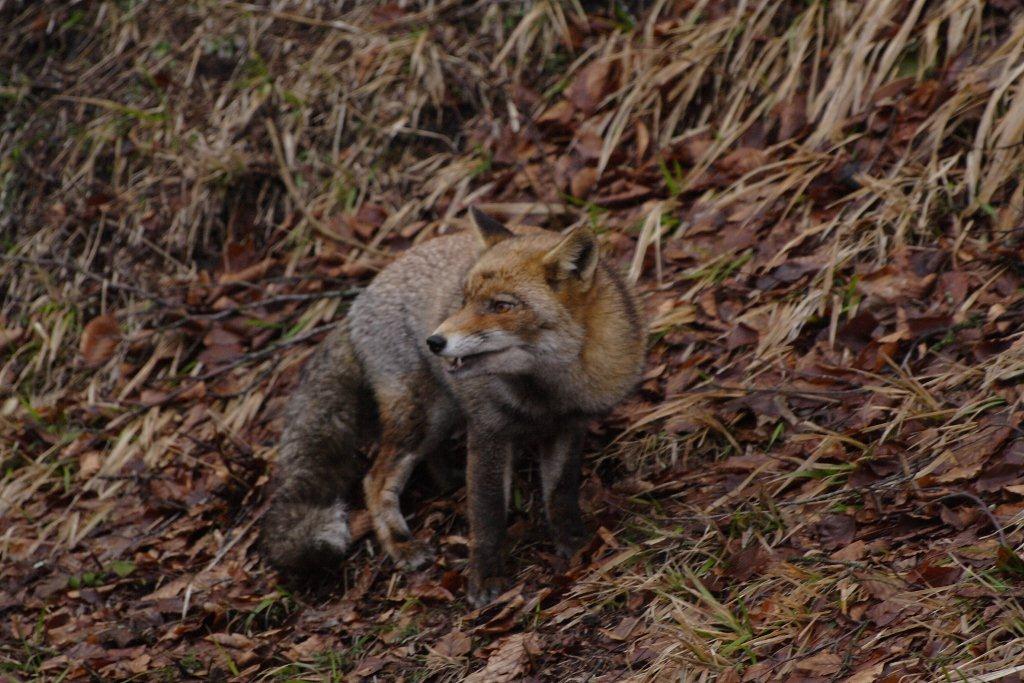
column 574, row 317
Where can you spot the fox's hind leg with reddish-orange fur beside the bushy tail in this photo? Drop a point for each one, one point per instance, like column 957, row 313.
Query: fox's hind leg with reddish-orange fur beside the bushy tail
column 412, row 428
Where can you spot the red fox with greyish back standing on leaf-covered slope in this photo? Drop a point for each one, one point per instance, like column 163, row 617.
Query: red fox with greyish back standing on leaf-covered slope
column 519, row 337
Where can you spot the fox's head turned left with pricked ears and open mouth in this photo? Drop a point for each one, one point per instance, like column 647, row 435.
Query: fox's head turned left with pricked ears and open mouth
column 525, row 303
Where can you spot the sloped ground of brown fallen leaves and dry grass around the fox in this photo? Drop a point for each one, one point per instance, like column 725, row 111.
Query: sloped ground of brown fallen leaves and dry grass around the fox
column 820, row 480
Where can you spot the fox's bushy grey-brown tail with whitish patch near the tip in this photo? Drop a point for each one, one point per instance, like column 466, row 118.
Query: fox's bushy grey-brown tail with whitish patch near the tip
column 307, row 529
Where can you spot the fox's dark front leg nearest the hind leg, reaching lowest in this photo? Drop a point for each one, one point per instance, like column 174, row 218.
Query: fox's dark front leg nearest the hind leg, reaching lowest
column 489, row 483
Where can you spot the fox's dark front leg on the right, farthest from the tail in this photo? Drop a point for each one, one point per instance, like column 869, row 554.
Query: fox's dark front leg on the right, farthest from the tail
column 561, row 485
